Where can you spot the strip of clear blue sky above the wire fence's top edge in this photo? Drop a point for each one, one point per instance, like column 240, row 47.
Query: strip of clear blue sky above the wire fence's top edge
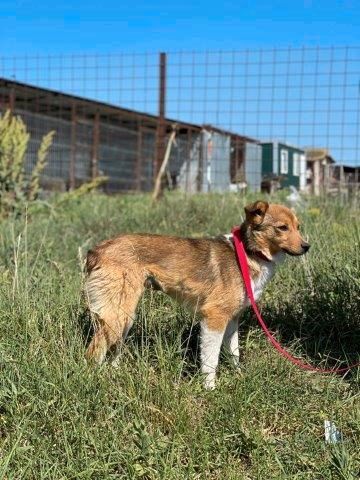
column 94, row 26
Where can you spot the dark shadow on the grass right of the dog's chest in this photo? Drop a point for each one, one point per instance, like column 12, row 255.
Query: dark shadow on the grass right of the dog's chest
column 324, row 328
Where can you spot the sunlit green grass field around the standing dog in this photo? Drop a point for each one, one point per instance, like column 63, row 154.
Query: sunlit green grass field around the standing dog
column 63, row 419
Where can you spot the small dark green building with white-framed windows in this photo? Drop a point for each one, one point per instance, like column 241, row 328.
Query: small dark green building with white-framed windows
column 283, row 165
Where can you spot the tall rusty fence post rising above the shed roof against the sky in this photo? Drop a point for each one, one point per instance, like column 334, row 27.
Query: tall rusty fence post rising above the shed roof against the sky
column 161, row 124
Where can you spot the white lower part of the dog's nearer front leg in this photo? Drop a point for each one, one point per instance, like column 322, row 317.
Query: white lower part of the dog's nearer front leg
column 210, row 344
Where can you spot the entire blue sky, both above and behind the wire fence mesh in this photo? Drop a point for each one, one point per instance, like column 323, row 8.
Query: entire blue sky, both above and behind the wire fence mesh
column 307, row 97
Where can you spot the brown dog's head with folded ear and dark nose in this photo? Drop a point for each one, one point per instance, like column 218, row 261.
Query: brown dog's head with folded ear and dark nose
column 270, row 229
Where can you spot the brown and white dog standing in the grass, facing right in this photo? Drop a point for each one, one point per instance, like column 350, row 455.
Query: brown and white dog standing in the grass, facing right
column 203, row 273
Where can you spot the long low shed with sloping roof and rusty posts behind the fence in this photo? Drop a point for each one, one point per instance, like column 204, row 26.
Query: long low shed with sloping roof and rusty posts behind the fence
column 127, row 146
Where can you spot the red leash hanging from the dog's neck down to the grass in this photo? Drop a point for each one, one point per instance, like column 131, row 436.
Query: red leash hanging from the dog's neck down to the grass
column 243, row 264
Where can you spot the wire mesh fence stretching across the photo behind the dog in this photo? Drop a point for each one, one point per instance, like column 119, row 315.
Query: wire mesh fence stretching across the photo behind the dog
column 244, row 119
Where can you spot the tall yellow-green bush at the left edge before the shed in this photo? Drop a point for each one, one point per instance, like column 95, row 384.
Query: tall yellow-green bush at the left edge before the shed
column 16, row 187
